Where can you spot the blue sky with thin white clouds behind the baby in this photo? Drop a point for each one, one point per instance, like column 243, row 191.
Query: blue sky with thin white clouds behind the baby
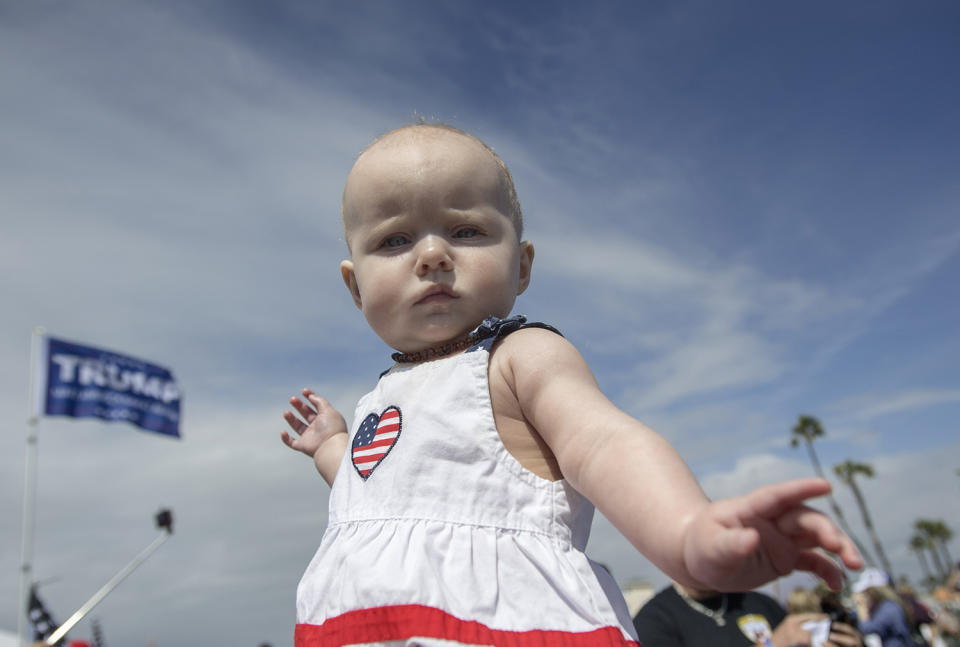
column 742, row 212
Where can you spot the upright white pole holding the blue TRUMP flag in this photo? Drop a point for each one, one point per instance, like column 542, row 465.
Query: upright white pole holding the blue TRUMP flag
column 29, row 491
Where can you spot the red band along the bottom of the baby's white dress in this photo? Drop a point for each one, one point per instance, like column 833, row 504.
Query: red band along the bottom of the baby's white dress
column 406, row 621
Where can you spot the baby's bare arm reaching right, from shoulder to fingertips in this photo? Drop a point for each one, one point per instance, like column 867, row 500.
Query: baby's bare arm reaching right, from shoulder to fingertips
column 640, row 483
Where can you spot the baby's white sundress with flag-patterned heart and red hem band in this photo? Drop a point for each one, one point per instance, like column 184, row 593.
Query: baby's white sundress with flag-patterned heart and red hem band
column 438, row 536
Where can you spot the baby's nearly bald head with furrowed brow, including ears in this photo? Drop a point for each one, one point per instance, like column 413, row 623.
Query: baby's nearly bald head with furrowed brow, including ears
column 433, row 251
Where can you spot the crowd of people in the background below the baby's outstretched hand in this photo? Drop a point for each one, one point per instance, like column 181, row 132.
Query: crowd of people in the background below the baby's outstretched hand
column 871, row 613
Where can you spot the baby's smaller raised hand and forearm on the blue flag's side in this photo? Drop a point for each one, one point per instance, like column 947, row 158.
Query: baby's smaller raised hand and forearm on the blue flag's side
column 323, row 436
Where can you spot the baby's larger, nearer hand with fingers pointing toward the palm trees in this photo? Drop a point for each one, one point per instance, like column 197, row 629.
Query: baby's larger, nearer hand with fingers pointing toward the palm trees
column 741, row 543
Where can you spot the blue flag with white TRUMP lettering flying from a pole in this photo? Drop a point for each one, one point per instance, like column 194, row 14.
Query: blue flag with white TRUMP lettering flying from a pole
column 86, row 382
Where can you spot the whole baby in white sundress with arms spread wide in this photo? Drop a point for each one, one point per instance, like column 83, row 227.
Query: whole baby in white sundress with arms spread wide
column 462, row 497
